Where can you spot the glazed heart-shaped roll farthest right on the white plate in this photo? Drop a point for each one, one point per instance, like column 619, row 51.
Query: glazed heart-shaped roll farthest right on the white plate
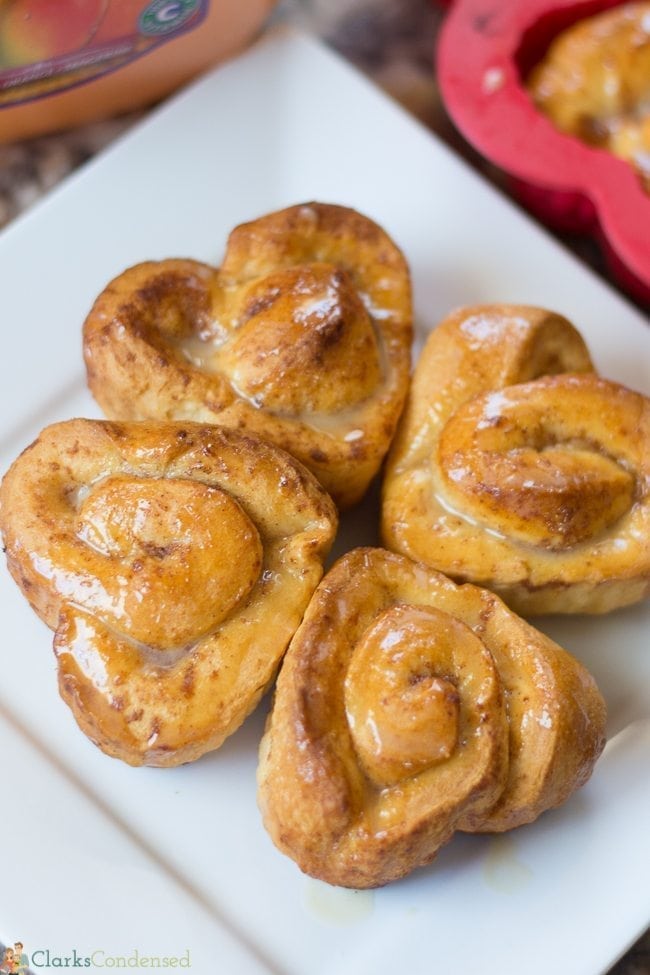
column 516, row 467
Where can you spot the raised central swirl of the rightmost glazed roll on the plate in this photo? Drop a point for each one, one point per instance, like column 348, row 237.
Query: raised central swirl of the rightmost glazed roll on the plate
column 532, row 472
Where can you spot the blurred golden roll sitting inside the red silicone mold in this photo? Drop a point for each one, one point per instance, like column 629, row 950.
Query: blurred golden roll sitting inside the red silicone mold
column 594, row 83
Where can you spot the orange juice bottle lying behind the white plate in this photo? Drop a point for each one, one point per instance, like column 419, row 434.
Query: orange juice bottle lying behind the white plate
column 65, row 62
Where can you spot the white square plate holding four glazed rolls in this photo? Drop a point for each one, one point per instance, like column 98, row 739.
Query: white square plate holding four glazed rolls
column 110, row 858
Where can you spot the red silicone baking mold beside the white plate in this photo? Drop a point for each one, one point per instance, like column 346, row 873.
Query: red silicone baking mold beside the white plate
column 486, row 49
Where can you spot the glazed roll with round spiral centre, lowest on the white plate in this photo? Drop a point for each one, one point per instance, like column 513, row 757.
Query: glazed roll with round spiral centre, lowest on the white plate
column 408, row 707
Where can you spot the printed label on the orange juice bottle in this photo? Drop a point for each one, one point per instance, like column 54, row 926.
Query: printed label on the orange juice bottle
column 47, row 47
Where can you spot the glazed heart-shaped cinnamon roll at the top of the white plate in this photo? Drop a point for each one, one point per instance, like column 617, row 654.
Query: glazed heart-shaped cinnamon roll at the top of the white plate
column 302, row 337
